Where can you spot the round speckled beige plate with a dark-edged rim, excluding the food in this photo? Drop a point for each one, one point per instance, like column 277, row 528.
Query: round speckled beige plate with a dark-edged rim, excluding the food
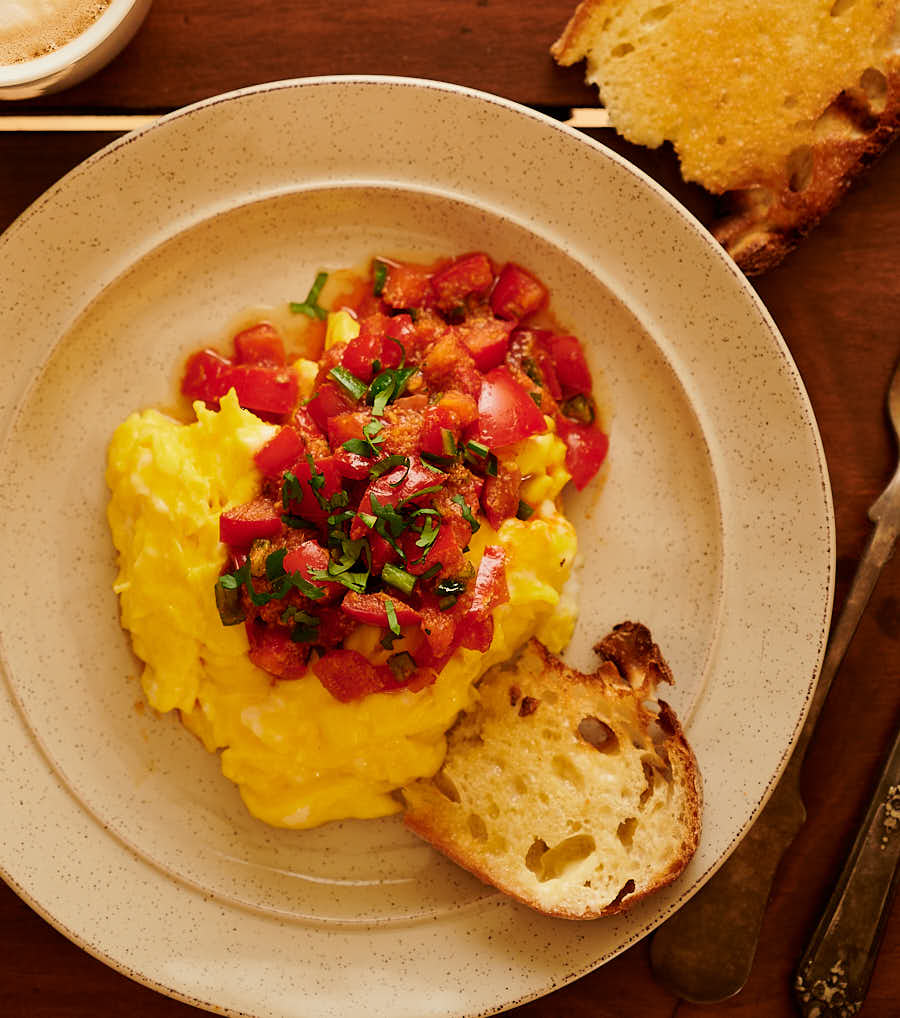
column 714, row 528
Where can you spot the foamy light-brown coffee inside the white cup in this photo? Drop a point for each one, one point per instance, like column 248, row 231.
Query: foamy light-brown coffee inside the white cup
column 30, row 29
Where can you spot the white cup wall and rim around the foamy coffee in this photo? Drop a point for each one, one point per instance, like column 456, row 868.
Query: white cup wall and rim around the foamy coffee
column 80, row 58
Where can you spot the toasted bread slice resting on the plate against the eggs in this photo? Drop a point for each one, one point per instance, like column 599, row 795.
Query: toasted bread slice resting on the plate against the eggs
column 574, row 794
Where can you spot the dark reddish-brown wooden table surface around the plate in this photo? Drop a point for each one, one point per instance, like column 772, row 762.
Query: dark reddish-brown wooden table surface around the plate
column 836, row 301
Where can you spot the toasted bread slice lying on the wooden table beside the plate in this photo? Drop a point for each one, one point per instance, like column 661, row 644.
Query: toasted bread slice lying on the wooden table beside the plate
column 777, row 104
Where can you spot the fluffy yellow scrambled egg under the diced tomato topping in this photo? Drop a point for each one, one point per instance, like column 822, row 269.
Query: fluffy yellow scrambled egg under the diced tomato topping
column 299, row 757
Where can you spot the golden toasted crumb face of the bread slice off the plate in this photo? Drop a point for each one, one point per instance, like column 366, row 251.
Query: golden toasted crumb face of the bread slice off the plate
column 737, row 87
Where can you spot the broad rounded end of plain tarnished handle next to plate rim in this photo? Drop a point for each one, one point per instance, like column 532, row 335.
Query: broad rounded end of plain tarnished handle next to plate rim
column 704, row 953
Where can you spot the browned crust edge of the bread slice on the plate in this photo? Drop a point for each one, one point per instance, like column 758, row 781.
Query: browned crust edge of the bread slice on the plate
column 683, row 762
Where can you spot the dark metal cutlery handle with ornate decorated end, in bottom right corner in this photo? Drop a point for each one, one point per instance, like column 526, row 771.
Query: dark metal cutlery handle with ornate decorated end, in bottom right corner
column 834, row 974
